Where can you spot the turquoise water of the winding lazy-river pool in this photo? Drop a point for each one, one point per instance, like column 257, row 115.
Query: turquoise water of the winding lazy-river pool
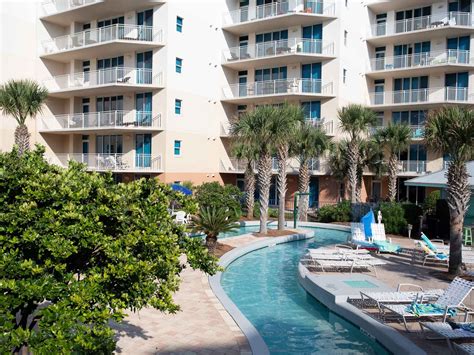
column 264, row 286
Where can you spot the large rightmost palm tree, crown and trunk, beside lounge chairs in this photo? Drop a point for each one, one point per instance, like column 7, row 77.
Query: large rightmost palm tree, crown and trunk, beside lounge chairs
column 450, row 131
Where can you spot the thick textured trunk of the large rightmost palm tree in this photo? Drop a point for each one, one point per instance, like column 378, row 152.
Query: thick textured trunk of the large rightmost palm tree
column 458, row 195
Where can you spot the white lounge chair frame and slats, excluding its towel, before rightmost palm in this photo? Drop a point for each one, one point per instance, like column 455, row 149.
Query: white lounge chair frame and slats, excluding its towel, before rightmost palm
column 451, row 299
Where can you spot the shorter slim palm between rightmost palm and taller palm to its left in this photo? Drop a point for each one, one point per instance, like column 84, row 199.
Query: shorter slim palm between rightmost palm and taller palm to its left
column 395, row 138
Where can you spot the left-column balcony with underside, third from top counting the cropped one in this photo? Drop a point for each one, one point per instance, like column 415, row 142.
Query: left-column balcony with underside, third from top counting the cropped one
column 104, row 81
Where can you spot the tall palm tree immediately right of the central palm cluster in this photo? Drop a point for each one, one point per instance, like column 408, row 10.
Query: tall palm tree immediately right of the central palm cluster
column 355, row 121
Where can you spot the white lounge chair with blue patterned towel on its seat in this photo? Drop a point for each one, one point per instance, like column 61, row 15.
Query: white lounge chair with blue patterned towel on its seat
column 445, row 306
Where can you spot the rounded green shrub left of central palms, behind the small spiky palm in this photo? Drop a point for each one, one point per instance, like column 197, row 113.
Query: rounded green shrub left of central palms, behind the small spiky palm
column 213, row 194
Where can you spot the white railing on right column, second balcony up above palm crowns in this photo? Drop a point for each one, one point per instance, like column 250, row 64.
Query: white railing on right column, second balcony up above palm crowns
column 426, row 59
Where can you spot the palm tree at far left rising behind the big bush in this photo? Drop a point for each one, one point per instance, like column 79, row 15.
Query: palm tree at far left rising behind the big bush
column 22, row 99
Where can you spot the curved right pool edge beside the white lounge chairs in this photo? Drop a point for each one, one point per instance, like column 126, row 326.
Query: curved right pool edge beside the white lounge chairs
column 390, row 338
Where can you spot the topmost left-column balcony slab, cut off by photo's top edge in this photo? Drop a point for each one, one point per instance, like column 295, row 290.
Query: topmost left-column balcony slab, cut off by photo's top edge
column 65, row 12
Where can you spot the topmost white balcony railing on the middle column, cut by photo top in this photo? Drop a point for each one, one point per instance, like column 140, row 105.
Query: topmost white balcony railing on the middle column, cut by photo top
column 251, row 13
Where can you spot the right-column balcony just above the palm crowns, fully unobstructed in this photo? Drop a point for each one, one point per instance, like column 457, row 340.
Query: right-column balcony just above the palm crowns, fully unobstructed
column 422, row 97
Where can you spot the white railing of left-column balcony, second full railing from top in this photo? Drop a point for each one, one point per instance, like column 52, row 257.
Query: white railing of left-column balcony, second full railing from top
column 111, row 76
